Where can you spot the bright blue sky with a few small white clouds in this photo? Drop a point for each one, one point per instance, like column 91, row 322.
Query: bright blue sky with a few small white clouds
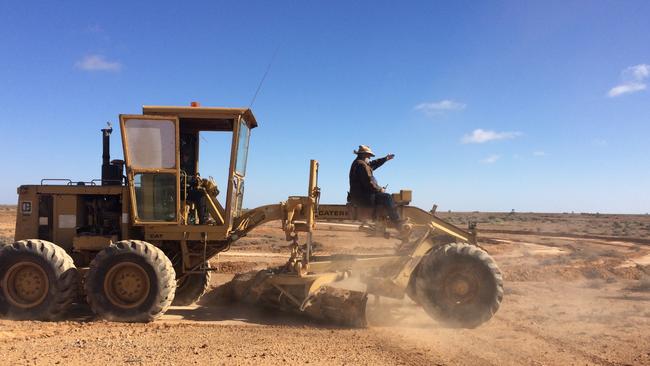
column 490, row 106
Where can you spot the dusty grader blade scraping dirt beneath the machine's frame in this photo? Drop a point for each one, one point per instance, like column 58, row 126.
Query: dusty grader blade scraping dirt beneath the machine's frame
column 306, row 296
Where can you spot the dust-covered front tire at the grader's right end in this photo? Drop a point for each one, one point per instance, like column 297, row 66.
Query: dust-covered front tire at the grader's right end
column 459, row 285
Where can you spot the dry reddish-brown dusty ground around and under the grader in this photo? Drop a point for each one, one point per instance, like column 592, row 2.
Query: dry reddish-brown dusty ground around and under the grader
column 577, row 292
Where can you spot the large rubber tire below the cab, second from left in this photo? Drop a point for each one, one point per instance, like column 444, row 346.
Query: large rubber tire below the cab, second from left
column 128, row 259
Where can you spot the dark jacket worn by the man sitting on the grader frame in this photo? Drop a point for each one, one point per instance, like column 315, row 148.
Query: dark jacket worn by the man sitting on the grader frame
column 363, row 185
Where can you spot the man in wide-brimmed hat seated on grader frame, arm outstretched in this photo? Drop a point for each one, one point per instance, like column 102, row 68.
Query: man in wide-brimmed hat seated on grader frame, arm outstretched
column 364, row 190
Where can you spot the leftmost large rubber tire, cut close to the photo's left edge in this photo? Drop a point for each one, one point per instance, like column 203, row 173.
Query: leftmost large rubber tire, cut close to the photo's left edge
column 38, row 280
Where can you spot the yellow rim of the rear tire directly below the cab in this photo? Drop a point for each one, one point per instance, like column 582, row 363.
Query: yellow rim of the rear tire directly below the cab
column 127, row 285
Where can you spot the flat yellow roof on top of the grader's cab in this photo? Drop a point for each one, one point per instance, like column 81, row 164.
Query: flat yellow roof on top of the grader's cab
column 203, row 115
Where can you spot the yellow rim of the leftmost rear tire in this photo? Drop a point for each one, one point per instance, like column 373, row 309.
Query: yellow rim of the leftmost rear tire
column 25, row 285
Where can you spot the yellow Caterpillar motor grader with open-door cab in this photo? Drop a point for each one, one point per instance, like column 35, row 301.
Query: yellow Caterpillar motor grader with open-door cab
column 138, row 243
